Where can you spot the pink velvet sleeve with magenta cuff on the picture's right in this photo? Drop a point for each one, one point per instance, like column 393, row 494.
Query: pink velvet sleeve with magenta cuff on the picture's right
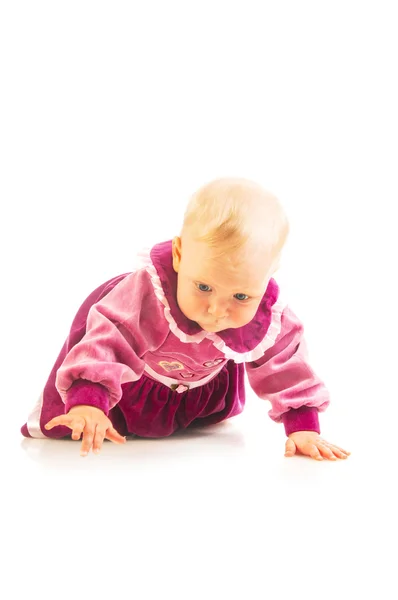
column 284, row 377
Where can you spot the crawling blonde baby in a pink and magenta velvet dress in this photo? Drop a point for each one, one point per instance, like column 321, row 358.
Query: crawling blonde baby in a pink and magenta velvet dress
column 166, row 347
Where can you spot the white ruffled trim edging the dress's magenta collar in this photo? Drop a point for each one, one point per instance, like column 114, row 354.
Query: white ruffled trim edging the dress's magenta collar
column 273, row 331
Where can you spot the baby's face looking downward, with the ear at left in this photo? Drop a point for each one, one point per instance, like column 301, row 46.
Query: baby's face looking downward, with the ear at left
column 217, row 293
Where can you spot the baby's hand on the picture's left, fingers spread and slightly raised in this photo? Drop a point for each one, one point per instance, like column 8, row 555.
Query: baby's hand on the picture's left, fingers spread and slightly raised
column 94, row 425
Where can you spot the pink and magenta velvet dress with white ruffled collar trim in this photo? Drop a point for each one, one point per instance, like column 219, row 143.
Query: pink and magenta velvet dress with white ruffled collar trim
column 131, row 352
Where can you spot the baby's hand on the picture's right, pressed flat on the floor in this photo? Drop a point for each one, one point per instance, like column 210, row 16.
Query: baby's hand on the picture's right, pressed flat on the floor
column 311, row 444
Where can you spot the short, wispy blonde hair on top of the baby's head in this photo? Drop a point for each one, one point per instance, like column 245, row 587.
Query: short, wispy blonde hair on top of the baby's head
column 236, row 214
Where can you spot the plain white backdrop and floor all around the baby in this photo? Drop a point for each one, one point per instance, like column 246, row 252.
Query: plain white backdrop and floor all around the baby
column 112, row 115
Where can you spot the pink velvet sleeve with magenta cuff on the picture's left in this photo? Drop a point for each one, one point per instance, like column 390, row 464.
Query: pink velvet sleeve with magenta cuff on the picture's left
column 119, row 332
